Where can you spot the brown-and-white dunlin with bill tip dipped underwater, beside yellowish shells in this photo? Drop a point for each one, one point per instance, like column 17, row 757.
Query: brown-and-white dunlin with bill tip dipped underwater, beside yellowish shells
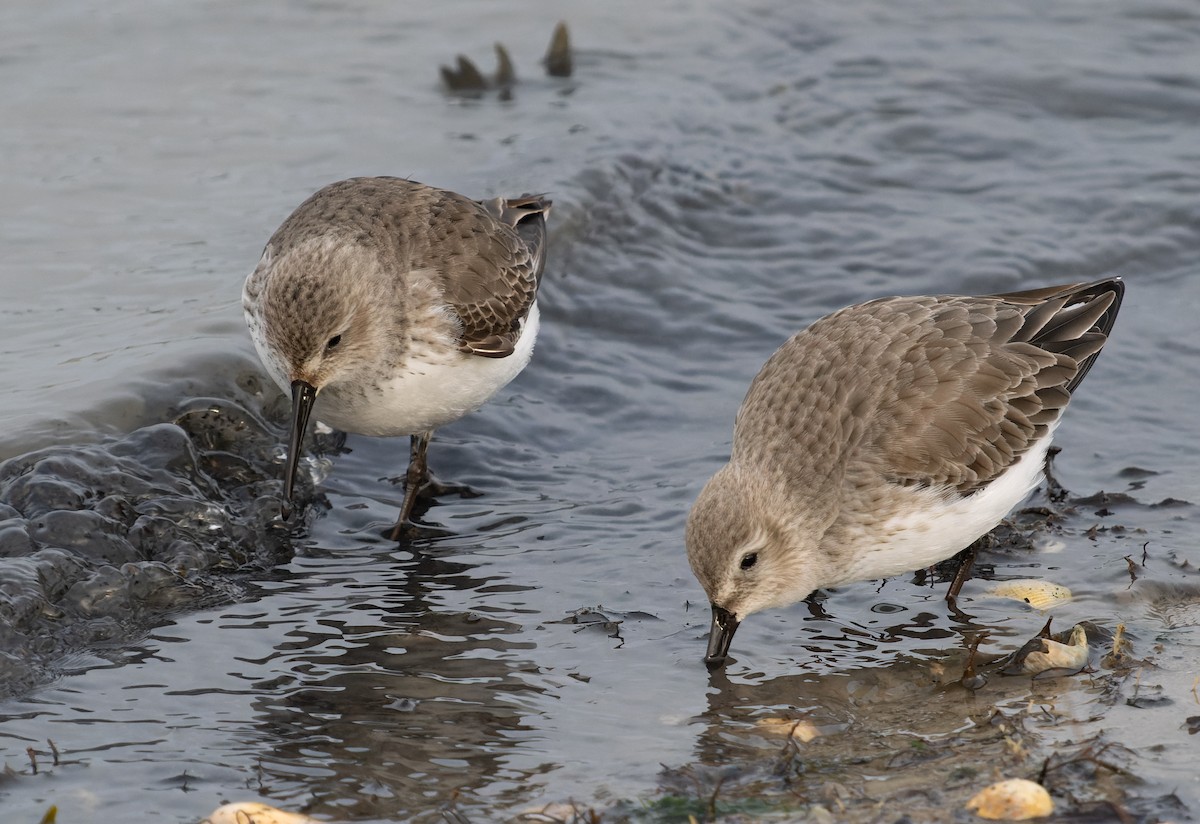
column 889, row 437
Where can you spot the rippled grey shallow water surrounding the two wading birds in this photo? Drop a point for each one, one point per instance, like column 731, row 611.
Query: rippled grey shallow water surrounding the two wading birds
column 723, row 176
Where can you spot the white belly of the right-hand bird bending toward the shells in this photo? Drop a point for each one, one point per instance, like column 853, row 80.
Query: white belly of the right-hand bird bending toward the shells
column 943, row 524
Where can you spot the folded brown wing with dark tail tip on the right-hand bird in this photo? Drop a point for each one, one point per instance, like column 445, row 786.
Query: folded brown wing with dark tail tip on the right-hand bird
column 982, row 380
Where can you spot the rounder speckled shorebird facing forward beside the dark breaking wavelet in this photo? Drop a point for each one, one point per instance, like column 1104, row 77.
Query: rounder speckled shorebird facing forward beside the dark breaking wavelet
column 397, row 309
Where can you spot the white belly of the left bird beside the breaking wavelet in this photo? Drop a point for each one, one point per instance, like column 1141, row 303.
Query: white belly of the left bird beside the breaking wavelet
column 437, row 386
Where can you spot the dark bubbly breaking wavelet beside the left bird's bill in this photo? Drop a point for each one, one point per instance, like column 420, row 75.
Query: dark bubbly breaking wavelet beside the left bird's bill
column 99, row 540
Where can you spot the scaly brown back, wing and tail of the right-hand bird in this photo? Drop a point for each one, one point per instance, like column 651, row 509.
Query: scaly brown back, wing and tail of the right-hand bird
column 943, row 392
